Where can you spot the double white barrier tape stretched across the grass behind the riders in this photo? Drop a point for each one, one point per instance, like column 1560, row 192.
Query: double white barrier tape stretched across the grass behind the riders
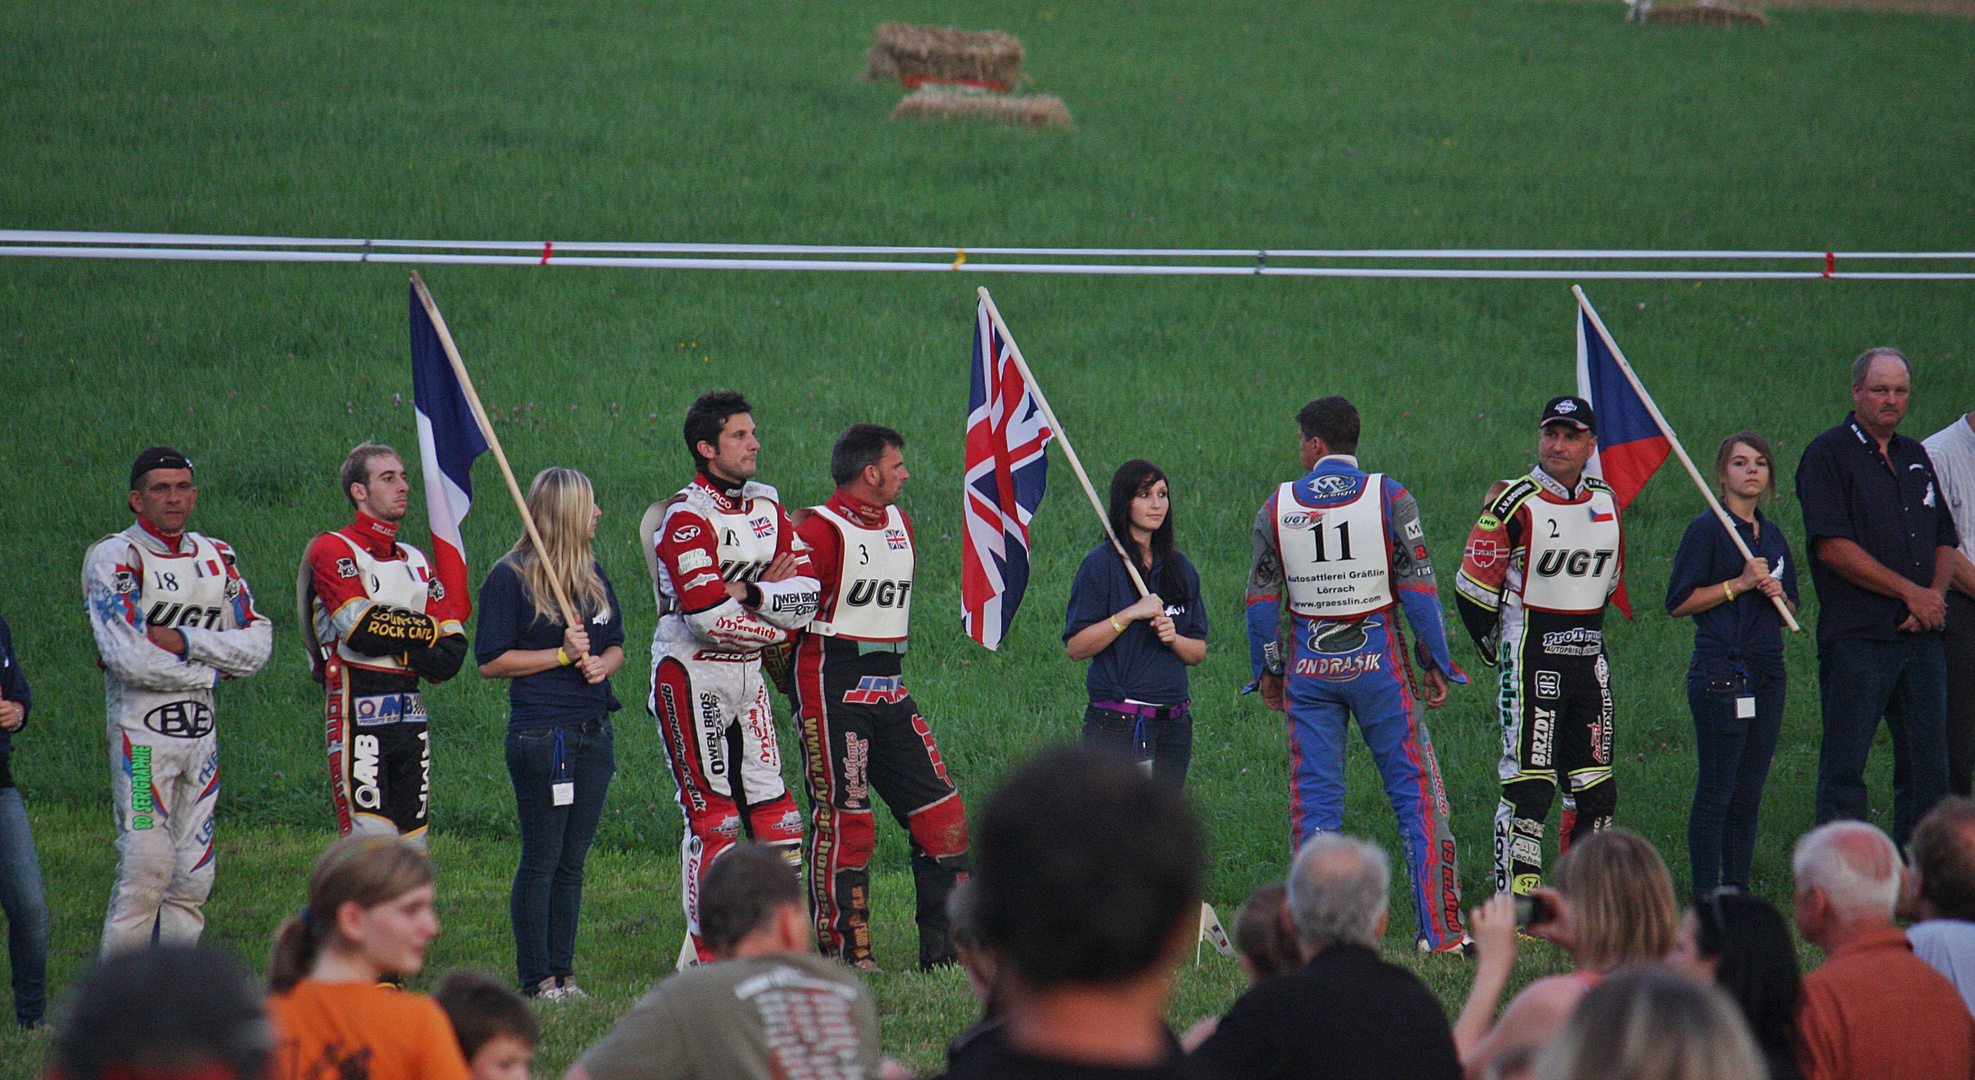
column 197, row 248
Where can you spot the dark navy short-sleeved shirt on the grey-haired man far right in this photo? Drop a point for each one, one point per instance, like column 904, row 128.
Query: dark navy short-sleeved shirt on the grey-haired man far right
column 1889, row 504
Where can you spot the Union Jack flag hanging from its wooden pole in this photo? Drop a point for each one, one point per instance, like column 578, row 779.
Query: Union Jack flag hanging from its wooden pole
column 1004, row 485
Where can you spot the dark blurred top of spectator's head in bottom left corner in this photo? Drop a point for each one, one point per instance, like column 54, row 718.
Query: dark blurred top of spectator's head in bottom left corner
column 177, row 1012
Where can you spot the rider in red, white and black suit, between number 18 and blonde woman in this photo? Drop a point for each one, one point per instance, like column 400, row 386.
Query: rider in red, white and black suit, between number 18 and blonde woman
column 362, row 599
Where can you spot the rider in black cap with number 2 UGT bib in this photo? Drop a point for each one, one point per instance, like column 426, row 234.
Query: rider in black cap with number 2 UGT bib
column 1540, row 568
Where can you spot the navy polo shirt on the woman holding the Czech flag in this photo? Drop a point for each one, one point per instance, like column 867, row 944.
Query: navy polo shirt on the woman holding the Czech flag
column 1743, row 631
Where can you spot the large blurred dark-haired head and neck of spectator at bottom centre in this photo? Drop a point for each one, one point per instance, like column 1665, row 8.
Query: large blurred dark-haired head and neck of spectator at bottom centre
column 1089, row 893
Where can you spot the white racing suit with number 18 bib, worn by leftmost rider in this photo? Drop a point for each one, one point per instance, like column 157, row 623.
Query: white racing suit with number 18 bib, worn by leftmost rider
column 165, row 757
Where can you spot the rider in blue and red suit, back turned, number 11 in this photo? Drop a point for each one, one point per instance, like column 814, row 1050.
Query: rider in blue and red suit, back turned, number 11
column 1350, row 552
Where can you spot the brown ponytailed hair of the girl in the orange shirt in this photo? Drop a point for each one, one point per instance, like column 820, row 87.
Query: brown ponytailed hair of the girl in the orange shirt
column 355, row 870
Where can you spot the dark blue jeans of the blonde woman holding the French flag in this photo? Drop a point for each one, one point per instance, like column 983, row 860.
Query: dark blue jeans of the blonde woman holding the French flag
column 548, row 886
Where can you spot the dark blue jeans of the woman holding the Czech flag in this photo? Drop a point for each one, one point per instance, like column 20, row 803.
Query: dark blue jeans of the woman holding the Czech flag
column 1735, row 763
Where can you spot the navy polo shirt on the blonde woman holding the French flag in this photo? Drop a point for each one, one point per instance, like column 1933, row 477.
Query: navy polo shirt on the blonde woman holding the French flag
column 560, row 696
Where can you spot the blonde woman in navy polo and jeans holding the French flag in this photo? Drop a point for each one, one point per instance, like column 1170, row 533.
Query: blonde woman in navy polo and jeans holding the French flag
column 560, row 743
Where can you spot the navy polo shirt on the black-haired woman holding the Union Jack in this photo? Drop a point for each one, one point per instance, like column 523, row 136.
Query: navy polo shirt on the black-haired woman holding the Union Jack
column 1137, row 666
